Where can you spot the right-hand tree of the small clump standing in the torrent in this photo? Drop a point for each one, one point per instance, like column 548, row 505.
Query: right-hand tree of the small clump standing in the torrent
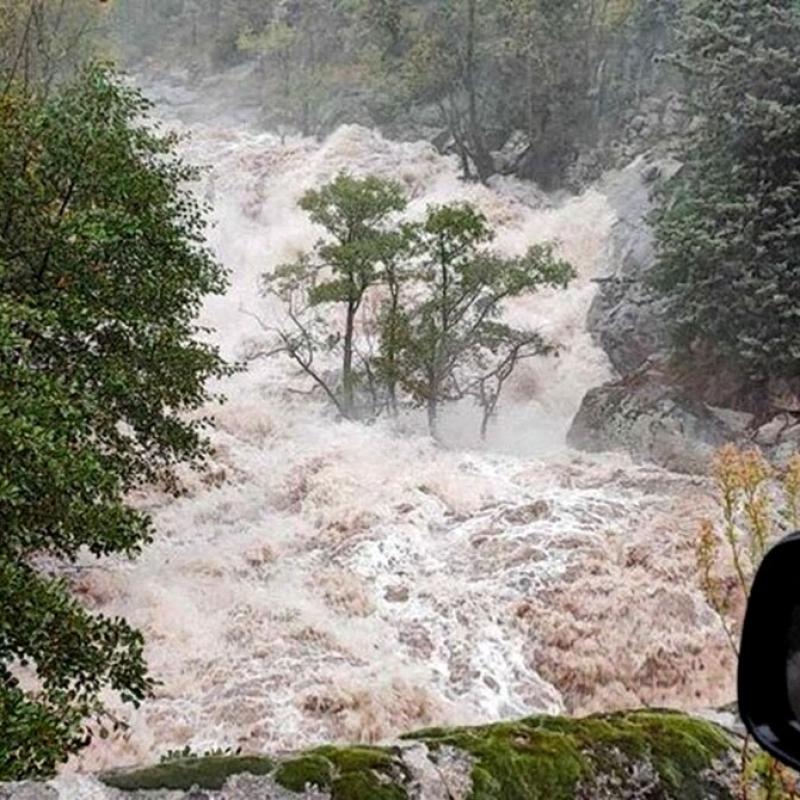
column 457, row 345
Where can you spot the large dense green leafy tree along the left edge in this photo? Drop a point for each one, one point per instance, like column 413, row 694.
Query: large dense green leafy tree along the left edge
column 103, row 269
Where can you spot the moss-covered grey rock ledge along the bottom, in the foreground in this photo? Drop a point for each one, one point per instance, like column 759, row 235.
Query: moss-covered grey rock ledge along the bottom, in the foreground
column 622, row 756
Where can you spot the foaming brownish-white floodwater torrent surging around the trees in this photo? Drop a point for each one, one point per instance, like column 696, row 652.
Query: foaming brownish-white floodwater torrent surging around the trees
column 326, row 580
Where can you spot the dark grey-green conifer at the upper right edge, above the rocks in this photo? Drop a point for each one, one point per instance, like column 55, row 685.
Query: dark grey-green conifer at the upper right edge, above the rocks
column 729, row 228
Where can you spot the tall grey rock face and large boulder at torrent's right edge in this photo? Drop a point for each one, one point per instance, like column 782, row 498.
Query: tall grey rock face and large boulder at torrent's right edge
column 644, row 411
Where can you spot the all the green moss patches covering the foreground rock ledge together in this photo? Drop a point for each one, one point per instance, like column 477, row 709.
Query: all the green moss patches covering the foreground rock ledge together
column 541, row 758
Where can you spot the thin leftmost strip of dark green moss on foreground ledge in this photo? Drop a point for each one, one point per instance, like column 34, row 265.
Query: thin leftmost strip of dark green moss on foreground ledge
column 210, row 773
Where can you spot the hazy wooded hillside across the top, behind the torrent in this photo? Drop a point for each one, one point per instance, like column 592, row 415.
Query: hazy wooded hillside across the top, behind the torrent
column 547, row 80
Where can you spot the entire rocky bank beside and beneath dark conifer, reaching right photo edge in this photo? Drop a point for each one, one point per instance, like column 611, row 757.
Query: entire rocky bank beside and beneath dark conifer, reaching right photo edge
column 677, row 423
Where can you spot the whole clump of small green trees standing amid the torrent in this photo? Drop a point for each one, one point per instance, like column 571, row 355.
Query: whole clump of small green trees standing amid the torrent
column 422, row 302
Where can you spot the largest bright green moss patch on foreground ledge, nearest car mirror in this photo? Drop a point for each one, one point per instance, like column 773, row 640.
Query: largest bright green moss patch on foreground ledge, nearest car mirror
column 546, row 758
